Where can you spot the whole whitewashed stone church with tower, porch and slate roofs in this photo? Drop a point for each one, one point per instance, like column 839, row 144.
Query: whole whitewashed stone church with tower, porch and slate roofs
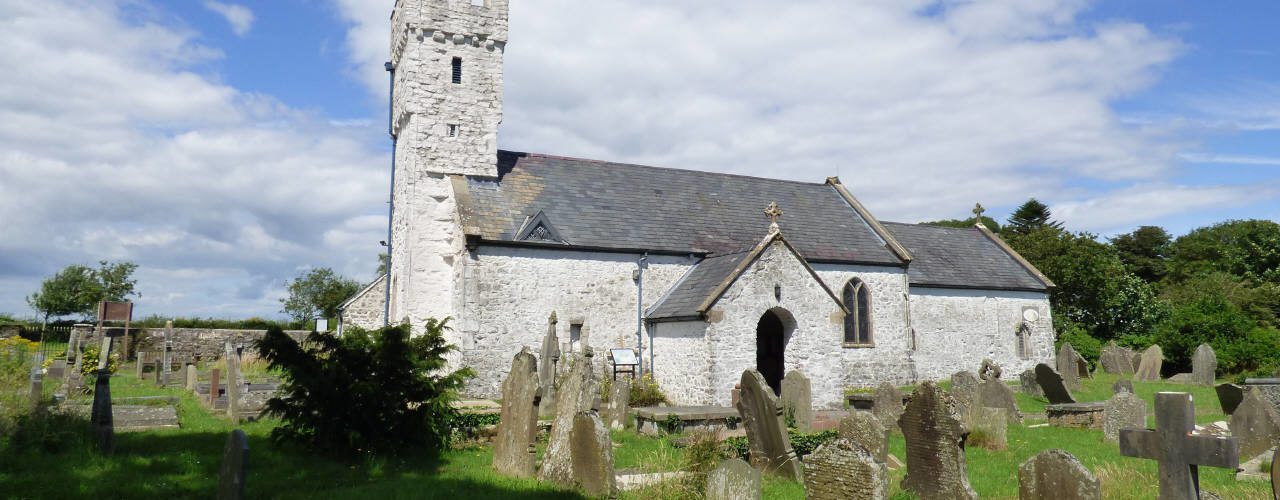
column 703, row 274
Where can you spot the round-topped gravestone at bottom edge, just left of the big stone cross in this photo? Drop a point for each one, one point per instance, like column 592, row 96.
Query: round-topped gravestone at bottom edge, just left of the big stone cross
column 1057, row 475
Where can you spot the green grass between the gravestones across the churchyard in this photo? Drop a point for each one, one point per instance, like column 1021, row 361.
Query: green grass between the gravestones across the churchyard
column 184, row 464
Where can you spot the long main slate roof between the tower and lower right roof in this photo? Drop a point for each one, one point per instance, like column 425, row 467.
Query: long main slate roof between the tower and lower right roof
column 618, row 207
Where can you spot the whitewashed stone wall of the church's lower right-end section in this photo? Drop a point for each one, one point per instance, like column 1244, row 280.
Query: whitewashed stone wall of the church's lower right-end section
column 957, row 329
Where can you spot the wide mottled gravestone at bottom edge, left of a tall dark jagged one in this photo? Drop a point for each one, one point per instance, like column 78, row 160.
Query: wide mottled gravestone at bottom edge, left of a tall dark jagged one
column 843, row 470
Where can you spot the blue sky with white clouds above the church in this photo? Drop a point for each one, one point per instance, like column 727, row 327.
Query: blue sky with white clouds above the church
column 228, row 146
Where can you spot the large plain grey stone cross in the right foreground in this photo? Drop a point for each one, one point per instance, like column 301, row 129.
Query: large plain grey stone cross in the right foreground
column 1177, row 449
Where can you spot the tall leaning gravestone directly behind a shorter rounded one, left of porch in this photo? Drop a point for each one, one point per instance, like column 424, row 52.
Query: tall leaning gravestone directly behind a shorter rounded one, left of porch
column 578, row 392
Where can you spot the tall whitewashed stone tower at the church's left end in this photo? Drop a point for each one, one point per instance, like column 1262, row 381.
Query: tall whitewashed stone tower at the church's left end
column 446, row 57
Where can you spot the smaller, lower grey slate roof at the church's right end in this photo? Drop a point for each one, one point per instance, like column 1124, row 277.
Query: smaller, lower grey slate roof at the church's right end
column 953, row 258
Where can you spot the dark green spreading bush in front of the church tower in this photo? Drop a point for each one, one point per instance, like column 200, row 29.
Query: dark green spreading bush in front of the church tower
column 365, row 393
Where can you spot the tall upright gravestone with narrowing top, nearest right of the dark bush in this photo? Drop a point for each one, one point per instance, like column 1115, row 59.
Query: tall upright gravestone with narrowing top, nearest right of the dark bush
column 515, row 451
